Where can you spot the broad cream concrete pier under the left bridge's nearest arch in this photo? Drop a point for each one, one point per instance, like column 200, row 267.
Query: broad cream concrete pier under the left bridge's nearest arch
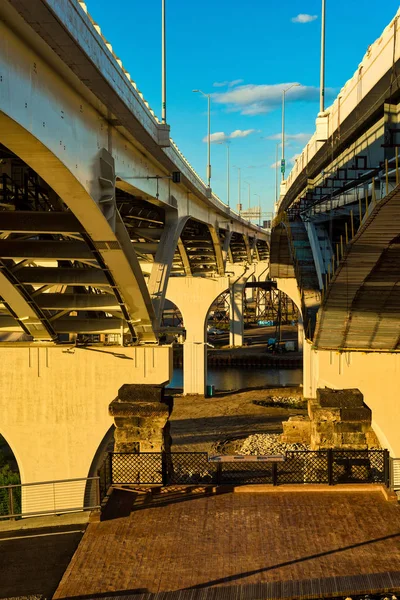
column 54, row 403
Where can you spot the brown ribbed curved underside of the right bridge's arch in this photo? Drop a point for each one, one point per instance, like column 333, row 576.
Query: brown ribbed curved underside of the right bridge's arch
column 362, row 304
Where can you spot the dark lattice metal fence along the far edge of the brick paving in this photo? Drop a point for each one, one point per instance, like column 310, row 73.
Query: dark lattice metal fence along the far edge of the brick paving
column 194, row 468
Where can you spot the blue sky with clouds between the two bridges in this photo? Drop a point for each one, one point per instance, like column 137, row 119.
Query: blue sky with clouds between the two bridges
column 247, row 48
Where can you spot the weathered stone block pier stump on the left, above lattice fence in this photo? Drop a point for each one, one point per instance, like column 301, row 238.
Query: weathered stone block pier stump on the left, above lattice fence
column 141, row 415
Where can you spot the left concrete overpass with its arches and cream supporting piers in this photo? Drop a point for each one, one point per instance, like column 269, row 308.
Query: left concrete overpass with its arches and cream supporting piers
column 101, row 219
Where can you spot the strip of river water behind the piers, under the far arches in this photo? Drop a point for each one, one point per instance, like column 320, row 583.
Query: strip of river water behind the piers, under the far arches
column 233, row 378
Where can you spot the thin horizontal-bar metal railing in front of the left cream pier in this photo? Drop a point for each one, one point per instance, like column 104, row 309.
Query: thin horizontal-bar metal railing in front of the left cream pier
column 49, row 497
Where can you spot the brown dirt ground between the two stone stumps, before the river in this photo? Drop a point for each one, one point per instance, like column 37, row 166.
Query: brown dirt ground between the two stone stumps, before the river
column 221, row 423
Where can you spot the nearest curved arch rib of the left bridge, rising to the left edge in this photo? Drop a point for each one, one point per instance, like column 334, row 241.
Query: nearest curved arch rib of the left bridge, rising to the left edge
column 83, row 201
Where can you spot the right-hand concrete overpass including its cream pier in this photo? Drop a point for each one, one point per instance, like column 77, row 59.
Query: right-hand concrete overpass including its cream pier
column 335, row 241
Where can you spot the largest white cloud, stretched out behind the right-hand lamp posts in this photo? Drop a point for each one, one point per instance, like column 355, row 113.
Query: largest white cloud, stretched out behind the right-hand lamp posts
column 254, row 99
